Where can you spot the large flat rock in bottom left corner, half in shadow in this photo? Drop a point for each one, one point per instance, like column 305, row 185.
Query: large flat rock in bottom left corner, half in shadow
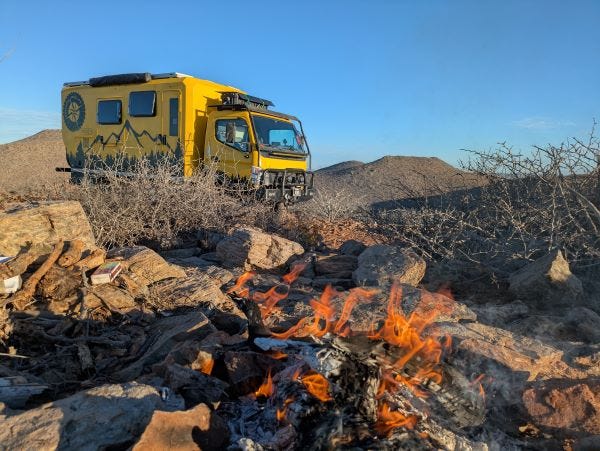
column 110, row 415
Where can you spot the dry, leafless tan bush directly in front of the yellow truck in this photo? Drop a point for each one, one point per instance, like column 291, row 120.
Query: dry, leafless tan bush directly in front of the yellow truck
column 153, row 204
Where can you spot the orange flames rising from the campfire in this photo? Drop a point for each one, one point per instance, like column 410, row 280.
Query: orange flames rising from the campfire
column 408, row 361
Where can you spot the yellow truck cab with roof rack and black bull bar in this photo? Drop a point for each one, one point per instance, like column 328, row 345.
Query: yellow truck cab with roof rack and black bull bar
column 265, row 147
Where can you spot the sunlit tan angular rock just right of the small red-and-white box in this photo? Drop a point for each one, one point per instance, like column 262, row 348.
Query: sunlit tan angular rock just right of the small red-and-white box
column 146, row 265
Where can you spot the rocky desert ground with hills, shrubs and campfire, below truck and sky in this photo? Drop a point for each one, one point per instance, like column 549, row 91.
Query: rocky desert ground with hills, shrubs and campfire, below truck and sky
column 410, row 305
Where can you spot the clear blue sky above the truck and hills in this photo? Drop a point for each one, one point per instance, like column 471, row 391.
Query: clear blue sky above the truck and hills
column 368, row 78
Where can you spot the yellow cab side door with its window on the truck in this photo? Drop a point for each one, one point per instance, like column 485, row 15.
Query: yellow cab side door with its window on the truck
column 229, row 138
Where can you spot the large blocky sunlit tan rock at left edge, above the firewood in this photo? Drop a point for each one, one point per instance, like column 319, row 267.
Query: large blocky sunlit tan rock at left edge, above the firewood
column 43, row 223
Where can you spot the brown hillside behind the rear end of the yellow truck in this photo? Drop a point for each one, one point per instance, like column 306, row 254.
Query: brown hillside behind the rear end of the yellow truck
column 29, row 163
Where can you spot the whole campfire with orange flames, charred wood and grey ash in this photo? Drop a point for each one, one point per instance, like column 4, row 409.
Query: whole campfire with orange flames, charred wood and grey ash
column 343, row 385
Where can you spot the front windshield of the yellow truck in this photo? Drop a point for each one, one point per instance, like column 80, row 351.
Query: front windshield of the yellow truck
column 279, row 134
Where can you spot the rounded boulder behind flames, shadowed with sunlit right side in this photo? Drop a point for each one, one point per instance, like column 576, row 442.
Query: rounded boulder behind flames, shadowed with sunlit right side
column 382, row 265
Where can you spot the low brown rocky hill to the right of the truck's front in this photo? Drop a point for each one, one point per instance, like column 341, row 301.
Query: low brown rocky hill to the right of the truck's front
column 392, row 178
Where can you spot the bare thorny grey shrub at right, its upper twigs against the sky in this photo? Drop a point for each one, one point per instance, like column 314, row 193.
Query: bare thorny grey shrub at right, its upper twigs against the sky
column 528, row 205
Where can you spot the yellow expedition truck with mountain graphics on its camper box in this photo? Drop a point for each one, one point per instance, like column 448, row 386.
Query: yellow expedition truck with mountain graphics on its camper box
column 123, row 118
